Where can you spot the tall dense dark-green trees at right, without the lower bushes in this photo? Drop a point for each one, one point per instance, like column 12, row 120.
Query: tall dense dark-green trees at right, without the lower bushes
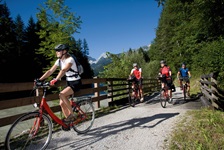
column 191, row 32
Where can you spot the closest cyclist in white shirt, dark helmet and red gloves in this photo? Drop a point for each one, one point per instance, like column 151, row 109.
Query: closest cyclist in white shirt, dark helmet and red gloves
column 68, row 68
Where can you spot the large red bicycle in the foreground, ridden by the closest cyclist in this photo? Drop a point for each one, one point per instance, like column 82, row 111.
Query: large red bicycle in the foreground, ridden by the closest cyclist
column 34, row 129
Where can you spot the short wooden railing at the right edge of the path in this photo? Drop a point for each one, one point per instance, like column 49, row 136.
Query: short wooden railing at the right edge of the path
column 213, row 96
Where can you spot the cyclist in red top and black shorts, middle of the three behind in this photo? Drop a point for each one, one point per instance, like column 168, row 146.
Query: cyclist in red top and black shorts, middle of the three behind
column 165, row 75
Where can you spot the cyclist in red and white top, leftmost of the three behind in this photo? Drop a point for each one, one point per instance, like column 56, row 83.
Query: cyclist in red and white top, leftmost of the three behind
column 137, row 73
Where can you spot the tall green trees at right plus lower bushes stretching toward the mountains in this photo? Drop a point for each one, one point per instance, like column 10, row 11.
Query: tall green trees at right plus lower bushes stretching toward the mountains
column 189, row 31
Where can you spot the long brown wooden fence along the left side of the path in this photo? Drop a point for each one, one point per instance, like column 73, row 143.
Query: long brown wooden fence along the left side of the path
column 112, row 88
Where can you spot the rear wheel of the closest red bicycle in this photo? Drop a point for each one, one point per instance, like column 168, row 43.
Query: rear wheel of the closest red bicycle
column 85, row 116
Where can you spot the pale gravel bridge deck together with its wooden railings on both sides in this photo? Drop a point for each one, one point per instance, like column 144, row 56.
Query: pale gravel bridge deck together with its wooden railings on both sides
column 146, row 126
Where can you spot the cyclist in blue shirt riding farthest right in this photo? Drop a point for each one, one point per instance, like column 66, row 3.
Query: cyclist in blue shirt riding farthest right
column 184, row 75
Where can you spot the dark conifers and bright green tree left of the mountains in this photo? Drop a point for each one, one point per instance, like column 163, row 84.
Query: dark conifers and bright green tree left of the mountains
column 26, row 51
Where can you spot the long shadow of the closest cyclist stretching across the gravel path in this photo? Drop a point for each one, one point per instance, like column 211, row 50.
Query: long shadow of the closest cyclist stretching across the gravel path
column 100, row 133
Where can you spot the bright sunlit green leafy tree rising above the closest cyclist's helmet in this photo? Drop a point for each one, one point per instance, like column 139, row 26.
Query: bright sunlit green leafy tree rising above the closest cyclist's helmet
column 58, row 25
